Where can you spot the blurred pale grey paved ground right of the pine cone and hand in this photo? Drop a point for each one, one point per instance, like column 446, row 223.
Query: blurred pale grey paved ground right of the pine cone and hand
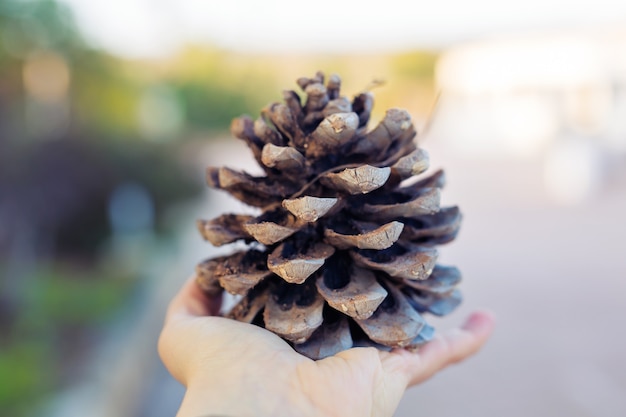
column 556, row 278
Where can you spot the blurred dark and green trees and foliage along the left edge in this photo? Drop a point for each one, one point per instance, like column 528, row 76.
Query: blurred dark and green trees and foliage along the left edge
column 69, row 139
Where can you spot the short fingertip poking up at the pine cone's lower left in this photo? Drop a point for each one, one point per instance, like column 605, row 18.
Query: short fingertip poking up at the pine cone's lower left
column 191, row 301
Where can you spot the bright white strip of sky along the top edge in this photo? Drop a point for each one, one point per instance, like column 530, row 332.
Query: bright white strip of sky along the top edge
column 151, row 28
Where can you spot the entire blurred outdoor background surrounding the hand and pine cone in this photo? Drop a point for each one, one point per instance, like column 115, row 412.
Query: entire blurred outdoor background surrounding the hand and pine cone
column 110, row 111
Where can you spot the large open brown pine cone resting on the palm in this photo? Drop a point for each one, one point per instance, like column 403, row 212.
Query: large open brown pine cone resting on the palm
column 343, row 253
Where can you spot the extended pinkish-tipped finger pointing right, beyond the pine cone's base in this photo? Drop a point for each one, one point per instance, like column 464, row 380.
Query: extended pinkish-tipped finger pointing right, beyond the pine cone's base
column 450, row 348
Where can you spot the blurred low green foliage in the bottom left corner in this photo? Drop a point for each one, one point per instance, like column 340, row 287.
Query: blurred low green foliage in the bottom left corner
column 59, row 301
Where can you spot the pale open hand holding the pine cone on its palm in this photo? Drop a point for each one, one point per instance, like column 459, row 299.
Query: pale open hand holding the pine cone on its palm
column 233, row 369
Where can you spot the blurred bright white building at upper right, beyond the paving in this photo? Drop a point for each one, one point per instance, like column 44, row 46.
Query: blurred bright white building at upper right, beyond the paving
column 557, row 96
